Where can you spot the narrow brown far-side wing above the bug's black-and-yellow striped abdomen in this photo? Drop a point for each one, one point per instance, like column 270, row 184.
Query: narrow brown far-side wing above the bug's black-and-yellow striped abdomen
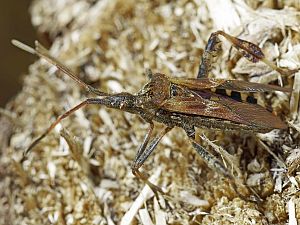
column 234, row 85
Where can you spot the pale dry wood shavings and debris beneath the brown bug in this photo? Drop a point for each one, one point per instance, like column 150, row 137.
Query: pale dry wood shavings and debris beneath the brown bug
column 83, row 176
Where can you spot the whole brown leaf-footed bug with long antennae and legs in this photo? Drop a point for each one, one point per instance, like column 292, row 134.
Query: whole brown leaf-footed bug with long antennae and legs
column 185, row 103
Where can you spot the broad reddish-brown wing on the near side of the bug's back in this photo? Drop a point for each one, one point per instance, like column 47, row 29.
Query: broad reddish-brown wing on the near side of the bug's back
column 224, row 108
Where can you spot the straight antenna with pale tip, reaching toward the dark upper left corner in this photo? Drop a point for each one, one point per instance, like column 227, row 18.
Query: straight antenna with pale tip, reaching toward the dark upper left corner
column 42, row 52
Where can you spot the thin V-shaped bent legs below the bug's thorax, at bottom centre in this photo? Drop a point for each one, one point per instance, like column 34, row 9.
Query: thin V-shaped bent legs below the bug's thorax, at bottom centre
column 143, row 153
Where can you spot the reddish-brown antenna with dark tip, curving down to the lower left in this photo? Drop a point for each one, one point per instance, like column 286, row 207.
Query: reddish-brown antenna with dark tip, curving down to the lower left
column 60, row 118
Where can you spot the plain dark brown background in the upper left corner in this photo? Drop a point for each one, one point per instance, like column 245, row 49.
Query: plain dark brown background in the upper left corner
column 14, row 23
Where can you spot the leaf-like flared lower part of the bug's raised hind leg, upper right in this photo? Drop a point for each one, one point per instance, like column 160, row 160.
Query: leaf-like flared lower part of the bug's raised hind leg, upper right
column 252, row 52
